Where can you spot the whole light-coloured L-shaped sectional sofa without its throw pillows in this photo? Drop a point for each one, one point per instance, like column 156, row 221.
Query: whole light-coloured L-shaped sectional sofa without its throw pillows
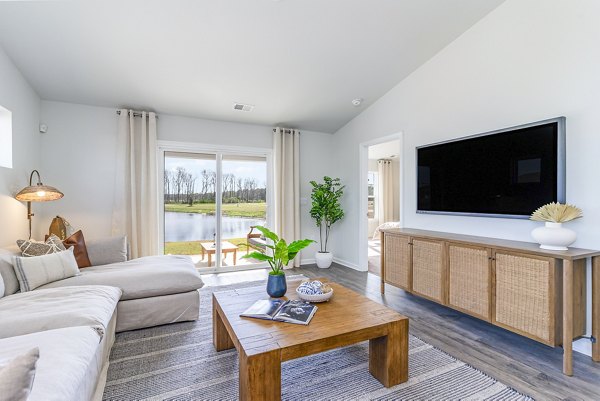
column 73, row 321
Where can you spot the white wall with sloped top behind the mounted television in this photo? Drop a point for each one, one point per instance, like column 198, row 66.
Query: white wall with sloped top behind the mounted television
column 525, row 61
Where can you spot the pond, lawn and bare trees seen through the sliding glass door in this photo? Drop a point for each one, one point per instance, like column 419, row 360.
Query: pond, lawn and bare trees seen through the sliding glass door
column 190, row 209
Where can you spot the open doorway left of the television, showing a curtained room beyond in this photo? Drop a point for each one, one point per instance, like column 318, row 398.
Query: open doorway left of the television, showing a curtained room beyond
column 380, row 196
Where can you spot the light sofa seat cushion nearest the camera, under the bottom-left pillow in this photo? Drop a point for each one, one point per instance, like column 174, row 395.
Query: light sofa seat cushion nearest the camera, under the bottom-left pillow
column 65, row 357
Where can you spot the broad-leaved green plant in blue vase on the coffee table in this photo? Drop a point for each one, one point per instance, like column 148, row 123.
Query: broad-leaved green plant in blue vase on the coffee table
column 281, row 254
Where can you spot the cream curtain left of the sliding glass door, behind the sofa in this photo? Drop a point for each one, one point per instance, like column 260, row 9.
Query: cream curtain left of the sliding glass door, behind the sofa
column 135, row 209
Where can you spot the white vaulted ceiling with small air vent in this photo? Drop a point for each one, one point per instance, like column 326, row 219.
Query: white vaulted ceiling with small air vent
column 299, row 62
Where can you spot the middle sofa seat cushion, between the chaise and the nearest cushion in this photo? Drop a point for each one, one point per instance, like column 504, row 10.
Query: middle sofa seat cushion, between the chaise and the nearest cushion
column 53, row 308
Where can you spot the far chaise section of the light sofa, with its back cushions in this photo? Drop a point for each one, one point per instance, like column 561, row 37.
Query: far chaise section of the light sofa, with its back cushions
column 156, row 289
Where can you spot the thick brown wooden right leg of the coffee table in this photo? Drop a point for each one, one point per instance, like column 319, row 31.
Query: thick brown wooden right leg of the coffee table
column 388, row 356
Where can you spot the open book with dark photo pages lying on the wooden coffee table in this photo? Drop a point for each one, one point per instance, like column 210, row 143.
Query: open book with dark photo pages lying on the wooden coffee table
column 291, row 311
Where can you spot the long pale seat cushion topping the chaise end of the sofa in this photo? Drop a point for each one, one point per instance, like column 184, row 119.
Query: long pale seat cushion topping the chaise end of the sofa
column 145, row 277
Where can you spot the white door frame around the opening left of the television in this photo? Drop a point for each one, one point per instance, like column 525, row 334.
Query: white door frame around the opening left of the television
column 363, row 220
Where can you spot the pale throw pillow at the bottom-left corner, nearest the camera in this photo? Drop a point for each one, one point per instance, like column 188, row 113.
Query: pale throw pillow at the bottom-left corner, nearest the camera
column 16, row 377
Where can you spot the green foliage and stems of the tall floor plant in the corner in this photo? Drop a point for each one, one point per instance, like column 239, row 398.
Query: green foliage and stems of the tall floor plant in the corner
column 326, row 208
